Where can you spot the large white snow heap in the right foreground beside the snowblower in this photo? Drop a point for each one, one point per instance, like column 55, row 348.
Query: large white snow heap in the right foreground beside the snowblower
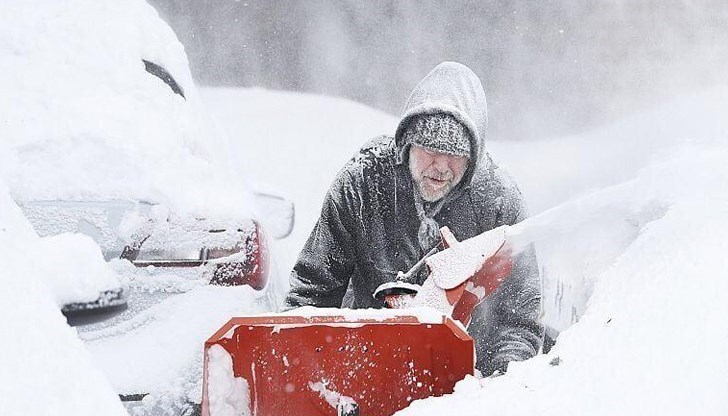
column 653, row 336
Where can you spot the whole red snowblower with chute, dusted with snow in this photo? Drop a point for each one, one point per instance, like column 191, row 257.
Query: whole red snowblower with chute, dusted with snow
column 312, row 361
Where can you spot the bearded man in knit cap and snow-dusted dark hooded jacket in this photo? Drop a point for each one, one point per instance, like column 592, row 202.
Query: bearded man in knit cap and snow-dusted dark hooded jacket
column 384, row 210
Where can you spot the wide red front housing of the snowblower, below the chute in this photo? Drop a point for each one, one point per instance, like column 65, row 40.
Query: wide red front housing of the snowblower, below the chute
column 363, row 363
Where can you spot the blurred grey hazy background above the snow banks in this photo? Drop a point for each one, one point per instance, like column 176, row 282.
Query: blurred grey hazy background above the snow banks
column 550, row 68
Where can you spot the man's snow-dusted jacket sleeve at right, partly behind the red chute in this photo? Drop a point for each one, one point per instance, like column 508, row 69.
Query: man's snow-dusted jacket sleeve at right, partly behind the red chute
column 514, row 331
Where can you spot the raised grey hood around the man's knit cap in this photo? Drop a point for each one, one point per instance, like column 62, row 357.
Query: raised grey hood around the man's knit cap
column 451, row 88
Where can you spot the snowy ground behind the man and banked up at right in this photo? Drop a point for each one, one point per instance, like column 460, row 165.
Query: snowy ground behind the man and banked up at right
column 633, row 211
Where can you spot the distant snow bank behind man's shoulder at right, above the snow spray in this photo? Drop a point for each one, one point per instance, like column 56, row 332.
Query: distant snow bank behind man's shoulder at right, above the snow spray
column 550, row 172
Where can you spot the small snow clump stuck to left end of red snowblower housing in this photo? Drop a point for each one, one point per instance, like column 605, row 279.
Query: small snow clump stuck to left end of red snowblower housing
column 229, row 395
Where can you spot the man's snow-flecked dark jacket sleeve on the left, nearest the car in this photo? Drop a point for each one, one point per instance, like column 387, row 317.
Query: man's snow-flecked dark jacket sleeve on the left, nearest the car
column 324, row 267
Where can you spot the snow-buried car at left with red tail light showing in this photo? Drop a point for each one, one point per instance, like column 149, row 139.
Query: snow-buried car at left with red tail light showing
column 104, row 134
